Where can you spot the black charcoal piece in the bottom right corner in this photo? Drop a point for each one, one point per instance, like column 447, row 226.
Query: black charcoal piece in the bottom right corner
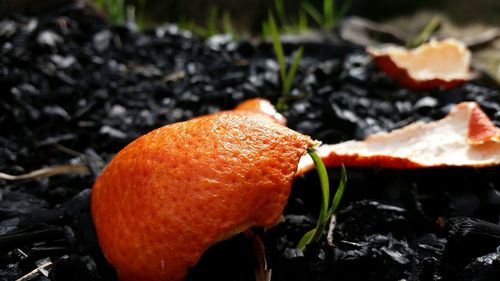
column 484, row 268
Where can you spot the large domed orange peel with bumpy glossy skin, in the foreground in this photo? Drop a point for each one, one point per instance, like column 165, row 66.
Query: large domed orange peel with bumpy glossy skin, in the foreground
column 172, row 193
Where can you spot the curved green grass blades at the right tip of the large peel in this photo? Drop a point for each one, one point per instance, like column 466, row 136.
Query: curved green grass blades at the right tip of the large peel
column 326, row 212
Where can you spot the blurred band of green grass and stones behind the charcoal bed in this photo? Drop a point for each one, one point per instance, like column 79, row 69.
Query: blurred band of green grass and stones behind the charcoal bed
column 462, row 19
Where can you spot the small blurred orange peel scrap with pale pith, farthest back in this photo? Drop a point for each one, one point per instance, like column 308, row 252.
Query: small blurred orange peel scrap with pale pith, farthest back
column 442, row 64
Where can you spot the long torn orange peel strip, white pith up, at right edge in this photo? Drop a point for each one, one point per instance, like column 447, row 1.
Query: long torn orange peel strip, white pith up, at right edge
column 465, row 137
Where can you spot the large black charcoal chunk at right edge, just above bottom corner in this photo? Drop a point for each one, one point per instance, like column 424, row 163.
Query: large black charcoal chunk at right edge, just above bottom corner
column 469, row 238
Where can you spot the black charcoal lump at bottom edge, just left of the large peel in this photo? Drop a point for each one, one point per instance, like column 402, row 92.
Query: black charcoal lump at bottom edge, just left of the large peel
column 74, row 267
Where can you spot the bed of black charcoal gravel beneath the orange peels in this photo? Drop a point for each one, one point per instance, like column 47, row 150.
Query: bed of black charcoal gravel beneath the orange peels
column 75, row 90
